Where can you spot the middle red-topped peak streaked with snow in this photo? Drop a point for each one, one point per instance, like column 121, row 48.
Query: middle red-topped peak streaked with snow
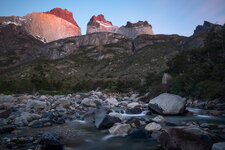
column 99, row 24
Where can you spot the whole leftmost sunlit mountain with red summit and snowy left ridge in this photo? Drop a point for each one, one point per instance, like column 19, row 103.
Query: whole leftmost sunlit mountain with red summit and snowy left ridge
column 53, row 25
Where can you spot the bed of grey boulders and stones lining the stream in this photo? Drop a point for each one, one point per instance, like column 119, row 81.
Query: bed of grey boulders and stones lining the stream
column 44, row 121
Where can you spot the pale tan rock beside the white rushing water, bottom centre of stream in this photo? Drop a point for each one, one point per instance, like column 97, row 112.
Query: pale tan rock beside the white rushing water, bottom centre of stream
column 119, row 129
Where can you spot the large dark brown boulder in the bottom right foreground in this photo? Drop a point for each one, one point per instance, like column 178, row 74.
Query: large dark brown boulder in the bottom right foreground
column 187, row 138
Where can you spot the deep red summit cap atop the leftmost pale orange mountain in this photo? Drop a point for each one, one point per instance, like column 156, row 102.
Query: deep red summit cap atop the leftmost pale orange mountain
column 64, row 14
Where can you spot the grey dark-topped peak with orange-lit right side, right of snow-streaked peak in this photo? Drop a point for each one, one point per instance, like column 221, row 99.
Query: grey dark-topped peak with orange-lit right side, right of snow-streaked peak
column 132, row 30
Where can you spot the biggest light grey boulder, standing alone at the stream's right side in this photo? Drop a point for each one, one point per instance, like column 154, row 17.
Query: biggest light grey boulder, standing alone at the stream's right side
column 167, row 104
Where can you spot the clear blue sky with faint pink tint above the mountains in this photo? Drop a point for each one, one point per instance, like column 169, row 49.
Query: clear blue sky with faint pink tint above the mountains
column 166, row 16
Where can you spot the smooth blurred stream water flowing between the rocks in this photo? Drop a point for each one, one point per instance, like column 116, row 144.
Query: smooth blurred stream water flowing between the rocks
column 79, row 135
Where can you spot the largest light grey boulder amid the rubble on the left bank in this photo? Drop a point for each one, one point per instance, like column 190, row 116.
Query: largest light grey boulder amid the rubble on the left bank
column 35, row 105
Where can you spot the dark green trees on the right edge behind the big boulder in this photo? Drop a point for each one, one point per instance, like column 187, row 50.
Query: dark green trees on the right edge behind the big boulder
column 200, row 72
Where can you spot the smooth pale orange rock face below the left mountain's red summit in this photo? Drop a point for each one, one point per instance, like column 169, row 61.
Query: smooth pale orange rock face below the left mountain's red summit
column 49, row 26
